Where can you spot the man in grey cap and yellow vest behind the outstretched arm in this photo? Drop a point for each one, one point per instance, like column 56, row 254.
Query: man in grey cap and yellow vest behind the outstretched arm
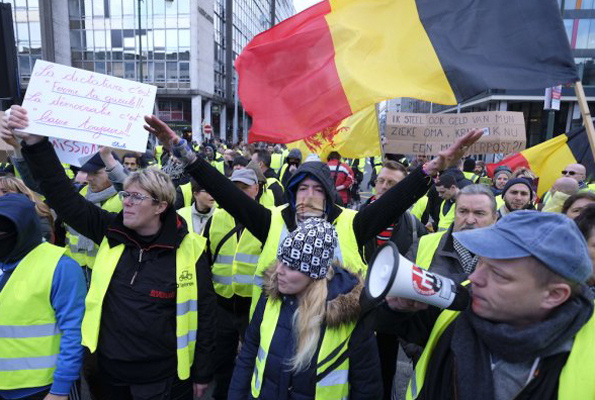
column 234, row 253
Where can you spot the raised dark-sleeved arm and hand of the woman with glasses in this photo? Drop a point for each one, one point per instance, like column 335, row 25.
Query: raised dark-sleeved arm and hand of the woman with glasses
column 74, row 209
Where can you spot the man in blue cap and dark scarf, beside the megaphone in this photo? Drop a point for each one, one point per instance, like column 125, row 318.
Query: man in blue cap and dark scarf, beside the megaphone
column 529, row 331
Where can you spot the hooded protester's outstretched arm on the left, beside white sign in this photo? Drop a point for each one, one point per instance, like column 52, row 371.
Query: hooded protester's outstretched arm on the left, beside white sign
column 255, row 217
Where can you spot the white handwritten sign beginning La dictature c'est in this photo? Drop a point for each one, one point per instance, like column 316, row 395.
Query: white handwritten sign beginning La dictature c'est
column 83, row 106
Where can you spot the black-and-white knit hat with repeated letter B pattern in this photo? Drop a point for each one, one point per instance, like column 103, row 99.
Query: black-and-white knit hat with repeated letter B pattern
column 310, row 248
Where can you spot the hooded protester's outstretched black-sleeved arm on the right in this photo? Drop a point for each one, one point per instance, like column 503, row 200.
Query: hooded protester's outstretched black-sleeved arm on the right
column 375, row 218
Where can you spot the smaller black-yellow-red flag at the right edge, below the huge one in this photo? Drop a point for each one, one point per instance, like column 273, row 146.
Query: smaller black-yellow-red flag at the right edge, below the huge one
column 549, row 158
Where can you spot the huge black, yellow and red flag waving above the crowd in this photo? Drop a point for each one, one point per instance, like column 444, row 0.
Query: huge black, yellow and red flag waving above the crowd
column 339, row 56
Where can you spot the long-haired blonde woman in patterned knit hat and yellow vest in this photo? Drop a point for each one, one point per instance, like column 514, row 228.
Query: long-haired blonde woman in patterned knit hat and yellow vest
column 303, row 341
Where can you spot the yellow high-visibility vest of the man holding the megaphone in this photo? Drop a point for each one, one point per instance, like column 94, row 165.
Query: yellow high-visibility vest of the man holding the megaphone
column 576, row 379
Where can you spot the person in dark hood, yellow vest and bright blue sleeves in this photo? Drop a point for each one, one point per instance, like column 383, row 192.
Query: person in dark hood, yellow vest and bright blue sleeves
column 42, row 302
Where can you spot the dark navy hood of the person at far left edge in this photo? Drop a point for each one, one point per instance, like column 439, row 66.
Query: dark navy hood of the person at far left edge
column 21, row 211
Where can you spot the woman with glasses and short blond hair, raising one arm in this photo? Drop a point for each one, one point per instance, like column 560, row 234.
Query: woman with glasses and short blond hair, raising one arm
column 150, row 311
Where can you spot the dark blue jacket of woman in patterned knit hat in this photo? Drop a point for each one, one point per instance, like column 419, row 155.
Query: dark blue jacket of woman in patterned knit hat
column 281, row 384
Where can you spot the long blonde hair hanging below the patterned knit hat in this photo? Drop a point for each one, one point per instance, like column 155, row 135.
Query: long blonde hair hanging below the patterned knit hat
column 307, row 319
